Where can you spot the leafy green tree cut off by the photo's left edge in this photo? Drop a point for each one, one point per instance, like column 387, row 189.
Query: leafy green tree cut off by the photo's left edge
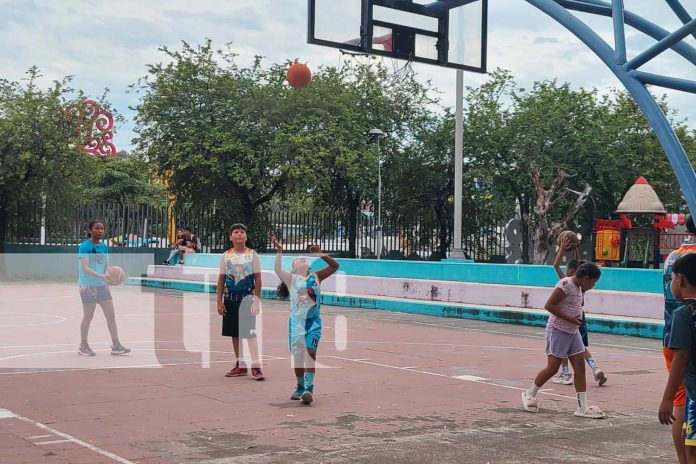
column 39, row 153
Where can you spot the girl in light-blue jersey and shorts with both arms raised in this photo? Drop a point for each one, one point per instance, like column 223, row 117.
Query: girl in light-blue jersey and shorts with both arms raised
column 304, row 326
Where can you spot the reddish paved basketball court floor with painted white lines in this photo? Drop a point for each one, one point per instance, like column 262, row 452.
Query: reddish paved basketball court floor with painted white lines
column 392, row 387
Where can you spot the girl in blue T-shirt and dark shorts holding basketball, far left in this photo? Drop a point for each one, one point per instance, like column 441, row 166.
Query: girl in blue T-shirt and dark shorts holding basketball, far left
column 94, row 280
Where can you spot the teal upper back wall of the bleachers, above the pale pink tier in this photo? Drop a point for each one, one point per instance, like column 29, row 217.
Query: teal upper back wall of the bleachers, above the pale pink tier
column 619, row 279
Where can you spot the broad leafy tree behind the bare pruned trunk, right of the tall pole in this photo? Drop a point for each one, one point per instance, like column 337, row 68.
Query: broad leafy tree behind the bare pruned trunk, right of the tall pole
column 602, row 141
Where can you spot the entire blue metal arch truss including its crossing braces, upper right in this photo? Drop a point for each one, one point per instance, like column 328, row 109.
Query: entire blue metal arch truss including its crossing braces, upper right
column 628, row 70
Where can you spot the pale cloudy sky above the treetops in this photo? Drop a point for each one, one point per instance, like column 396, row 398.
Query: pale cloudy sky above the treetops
column 108, row 45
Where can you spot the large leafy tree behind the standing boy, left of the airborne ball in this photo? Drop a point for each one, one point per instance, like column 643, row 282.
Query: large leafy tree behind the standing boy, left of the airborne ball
column 217, row 132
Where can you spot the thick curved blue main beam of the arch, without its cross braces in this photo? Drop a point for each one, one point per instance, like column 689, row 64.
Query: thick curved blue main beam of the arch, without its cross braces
column 652, row 111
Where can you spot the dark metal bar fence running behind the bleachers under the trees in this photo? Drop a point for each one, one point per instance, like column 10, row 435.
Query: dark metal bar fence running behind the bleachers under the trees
column 153, row 226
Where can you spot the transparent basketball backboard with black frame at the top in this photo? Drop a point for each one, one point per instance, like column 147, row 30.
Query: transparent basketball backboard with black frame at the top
column 449, row 33
